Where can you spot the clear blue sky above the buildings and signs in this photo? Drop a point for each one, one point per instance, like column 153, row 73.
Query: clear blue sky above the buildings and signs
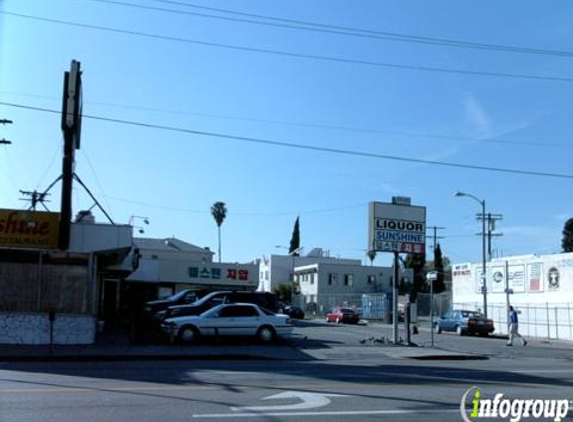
column 190, row 70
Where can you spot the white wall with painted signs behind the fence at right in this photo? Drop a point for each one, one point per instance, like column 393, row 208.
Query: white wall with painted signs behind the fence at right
column 546, row 306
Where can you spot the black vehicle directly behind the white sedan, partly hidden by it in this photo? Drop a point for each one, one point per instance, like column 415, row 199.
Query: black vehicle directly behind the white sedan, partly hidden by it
column 266, row 300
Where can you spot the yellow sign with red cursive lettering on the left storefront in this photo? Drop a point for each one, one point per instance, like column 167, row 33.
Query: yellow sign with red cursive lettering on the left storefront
column 29, row 229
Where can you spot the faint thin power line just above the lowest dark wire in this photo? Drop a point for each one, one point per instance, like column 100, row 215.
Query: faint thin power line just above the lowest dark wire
column 309, row 125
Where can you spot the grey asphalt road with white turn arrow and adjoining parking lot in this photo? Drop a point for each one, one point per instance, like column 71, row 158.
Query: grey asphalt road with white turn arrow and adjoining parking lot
column 349, row 384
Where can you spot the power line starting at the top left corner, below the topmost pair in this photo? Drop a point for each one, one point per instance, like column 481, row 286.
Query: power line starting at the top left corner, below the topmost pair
column 295, row 55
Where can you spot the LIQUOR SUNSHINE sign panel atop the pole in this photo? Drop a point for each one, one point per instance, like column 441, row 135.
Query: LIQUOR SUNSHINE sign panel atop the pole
column 396, row 228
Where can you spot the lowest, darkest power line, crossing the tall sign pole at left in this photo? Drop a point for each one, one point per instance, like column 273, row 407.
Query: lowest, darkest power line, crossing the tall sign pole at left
column 261, row 141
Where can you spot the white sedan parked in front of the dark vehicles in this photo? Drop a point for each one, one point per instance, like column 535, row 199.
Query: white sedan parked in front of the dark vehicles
column 231, row 319
